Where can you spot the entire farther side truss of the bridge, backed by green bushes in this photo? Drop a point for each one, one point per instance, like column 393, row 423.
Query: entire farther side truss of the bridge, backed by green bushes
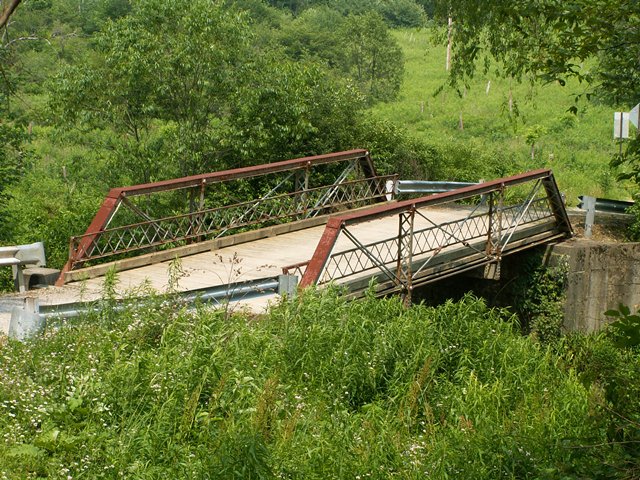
column 128, row 220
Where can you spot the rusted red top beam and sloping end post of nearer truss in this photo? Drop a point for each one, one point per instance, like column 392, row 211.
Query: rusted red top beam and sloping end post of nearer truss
column 335, row 224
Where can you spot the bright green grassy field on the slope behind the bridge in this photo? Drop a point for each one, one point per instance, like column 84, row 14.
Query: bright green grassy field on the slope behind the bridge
column 577, row 147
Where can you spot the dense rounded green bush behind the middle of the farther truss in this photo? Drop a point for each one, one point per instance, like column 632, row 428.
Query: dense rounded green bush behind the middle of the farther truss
column 289, row 109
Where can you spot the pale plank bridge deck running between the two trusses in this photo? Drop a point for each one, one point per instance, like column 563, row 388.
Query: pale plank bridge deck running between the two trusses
column 258, row 259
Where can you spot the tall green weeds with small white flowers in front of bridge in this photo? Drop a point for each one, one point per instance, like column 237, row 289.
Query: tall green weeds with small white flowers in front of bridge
column 318, row 388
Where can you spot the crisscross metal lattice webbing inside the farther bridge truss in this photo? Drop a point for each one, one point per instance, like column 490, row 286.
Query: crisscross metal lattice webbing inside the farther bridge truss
column 290, row 199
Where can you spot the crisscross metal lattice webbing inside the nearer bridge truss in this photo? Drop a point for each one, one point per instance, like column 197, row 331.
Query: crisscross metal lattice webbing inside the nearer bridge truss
column 431, row 237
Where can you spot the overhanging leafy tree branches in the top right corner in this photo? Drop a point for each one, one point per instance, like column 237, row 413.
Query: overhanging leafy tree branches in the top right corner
column 549, row 40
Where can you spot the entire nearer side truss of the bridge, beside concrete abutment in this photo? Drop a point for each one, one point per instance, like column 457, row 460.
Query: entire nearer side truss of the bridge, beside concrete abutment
column 489, row 220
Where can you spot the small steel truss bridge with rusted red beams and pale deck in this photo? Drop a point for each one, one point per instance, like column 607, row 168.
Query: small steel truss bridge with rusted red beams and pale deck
column 321, row 219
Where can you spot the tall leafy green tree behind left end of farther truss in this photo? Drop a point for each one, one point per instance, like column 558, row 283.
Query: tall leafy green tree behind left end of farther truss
column 177, row 62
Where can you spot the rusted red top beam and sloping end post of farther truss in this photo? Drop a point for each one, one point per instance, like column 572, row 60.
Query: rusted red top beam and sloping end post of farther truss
column 115, row 195
